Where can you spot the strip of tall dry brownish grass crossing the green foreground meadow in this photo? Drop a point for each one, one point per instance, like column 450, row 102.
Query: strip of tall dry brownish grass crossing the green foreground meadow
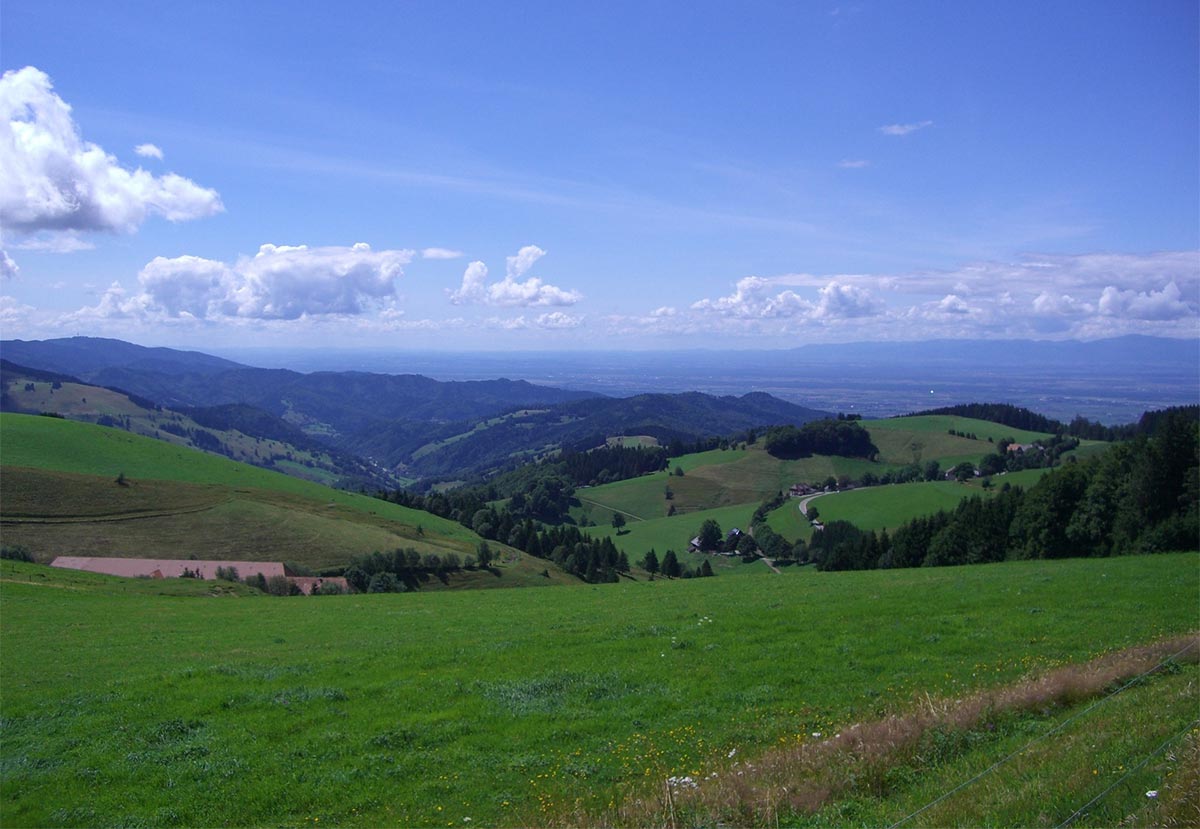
column 861, row 759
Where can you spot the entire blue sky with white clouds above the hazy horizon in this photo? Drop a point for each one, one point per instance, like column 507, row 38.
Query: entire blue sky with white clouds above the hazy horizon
column 465, row 176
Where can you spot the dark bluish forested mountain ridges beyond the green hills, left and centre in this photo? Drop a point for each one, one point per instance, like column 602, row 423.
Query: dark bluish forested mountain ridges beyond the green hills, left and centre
column 410, row 424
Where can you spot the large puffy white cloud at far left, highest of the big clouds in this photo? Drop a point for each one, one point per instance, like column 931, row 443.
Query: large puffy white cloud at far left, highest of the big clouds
column 53, row 181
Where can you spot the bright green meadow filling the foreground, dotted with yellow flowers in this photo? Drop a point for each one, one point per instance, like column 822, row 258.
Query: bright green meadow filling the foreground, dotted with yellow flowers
column 507, row 707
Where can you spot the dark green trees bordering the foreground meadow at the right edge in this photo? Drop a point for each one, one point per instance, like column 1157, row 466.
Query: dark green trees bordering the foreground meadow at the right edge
column 1139, row 497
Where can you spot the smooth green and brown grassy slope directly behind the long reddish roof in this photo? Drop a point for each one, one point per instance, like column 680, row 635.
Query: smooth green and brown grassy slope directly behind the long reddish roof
column 61, row 496
